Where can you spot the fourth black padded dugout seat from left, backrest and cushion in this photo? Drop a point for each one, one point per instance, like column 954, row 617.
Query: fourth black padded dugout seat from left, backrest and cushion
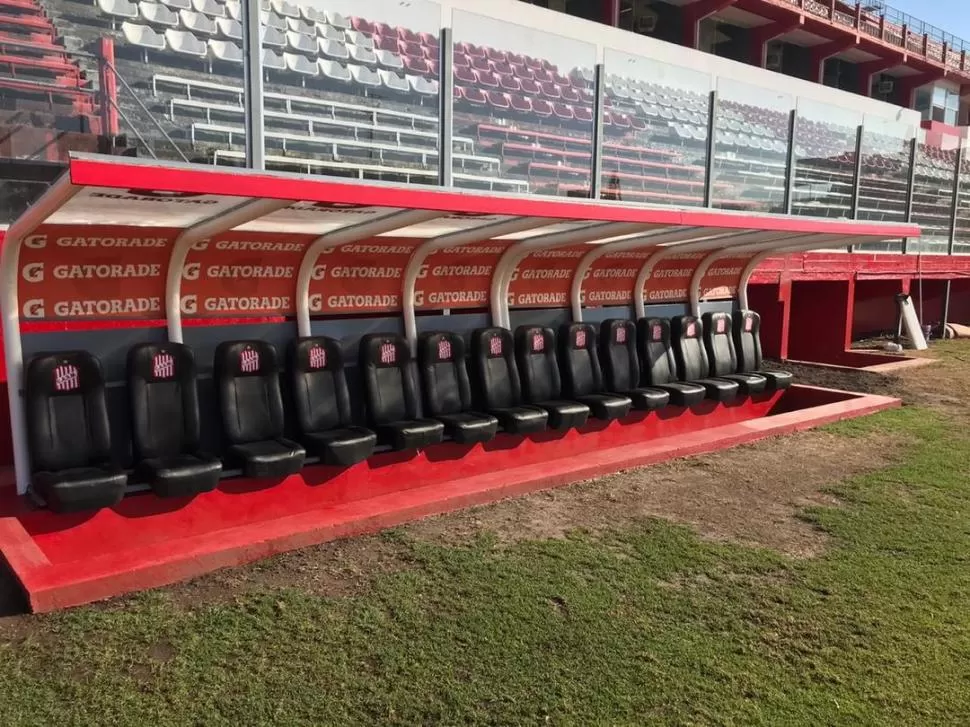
column 322, row 403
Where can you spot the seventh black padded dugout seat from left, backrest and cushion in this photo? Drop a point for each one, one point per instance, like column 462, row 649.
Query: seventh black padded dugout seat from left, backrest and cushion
column 495, row 384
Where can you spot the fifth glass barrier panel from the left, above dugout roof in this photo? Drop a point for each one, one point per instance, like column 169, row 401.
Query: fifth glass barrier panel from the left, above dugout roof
column 750, row 147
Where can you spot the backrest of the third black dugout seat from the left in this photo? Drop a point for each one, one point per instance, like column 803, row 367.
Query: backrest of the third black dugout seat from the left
column 248, row 384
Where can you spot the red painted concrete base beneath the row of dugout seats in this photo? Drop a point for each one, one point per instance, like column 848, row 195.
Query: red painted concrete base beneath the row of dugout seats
column 145, row 541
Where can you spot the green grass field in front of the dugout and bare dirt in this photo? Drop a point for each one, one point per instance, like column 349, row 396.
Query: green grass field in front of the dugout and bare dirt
column 646, row 624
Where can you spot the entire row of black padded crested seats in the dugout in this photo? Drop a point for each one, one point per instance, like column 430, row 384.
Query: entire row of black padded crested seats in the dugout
column 518, row 384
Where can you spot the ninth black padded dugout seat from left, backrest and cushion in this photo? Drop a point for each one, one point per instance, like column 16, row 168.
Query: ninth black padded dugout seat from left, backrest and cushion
column 582, row 376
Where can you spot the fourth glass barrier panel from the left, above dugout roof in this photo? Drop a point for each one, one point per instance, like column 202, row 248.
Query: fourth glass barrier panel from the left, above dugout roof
column 661, row 157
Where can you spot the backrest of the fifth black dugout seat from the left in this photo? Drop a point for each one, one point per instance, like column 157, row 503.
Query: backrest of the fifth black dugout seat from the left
column 390, row 389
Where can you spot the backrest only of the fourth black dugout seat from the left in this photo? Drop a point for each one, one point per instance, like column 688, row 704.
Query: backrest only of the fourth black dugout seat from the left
column 319, row 383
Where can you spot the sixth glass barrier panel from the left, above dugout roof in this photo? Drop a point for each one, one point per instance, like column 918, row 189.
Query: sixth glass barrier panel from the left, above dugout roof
column 825, row 141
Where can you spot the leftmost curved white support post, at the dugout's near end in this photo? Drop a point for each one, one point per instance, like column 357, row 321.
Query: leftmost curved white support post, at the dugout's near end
column 59, row 193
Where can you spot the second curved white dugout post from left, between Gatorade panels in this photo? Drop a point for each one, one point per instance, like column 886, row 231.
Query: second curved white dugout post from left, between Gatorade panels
column 238, row 215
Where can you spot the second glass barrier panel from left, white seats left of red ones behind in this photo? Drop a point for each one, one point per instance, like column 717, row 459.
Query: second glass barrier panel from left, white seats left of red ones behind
column 351, row 88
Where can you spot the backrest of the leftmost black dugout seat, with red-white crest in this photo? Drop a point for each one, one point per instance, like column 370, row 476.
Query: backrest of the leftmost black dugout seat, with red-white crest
column 67, row 417
